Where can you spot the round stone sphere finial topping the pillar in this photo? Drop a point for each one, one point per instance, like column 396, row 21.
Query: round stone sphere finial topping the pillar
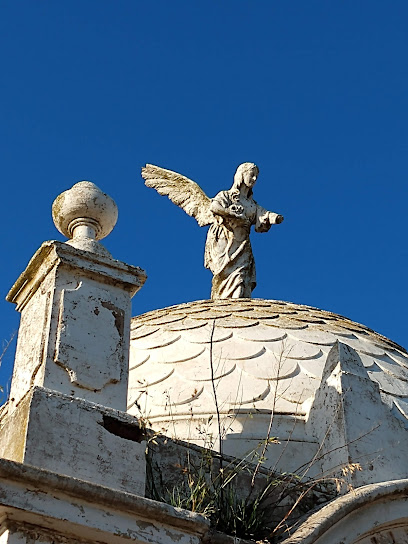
column 85, row 214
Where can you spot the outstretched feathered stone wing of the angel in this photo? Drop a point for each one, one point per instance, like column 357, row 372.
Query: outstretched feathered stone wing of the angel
column 182, row 191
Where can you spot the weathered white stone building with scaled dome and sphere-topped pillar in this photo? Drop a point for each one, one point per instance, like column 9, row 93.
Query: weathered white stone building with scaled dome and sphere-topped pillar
column 325, row 398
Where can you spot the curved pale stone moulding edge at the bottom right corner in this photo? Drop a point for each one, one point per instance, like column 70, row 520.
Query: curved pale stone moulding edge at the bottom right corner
column 325, row 518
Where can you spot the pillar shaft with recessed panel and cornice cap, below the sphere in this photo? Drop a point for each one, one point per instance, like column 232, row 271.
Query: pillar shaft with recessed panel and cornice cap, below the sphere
column 74, row 331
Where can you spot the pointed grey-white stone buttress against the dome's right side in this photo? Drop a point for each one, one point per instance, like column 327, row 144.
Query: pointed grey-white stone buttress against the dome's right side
column 353, row 426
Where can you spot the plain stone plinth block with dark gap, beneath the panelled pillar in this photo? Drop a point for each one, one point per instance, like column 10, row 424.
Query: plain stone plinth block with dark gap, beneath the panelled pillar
column 77, row 438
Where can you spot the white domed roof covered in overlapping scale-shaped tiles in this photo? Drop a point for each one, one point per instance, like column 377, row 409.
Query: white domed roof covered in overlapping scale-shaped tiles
column 266, row 355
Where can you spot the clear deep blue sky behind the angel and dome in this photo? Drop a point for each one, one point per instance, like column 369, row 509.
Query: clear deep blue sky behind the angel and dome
column 313, row 92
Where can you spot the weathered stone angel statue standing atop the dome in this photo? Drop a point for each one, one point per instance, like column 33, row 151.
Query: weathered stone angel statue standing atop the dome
column 228, row 252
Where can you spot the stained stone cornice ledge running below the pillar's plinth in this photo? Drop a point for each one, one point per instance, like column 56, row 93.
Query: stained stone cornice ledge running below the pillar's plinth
column 37, row 503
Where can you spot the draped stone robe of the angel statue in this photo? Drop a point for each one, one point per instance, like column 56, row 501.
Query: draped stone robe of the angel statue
column 228, row 251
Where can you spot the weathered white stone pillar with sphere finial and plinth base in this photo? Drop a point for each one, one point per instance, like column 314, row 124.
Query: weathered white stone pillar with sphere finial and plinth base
column 67, row 408
